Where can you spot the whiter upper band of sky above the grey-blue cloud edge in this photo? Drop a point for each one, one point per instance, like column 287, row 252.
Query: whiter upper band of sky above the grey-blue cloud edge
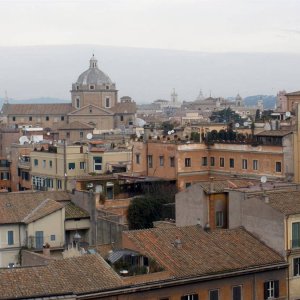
column 198, row 25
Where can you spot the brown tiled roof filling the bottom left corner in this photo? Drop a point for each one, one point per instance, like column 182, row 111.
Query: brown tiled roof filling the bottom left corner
column 83, row 274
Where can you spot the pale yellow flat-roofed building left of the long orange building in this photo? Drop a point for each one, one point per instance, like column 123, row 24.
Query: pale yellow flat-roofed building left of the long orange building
column 57, row 167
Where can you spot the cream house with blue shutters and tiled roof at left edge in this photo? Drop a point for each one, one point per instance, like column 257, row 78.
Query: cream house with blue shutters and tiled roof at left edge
column 29, row 222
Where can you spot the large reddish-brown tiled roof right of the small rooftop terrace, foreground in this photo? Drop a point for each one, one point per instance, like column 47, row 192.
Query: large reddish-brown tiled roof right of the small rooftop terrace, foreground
column 202, row 253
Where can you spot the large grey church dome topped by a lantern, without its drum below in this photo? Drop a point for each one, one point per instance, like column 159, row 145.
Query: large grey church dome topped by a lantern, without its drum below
column 93, row 75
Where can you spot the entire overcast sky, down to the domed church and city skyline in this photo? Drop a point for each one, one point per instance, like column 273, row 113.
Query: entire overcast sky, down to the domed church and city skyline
column 225, row 46
